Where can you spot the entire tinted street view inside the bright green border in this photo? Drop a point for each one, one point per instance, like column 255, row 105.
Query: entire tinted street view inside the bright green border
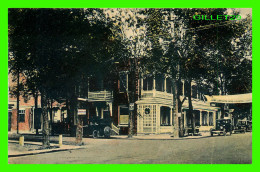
column 130, row 86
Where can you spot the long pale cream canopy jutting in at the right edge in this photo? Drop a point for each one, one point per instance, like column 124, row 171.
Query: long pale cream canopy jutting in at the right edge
column 238, row 98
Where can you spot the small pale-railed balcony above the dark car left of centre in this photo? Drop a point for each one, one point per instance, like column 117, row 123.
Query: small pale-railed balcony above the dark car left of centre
column 100, row 96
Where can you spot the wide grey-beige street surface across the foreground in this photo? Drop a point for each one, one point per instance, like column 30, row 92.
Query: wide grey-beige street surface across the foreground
column 235, row 149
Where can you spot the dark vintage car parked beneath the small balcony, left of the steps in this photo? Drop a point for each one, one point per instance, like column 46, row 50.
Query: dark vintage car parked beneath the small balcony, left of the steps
column 98, row 127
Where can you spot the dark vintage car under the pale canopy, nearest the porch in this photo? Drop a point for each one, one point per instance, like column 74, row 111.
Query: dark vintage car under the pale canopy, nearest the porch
column 223, row 126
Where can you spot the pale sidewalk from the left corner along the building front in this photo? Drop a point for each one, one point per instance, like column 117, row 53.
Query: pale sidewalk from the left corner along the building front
column 33, row 143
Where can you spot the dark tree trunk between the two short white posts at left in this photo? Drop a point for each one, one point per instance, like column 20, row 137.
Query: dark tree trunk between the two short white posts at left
column 45, row 130
